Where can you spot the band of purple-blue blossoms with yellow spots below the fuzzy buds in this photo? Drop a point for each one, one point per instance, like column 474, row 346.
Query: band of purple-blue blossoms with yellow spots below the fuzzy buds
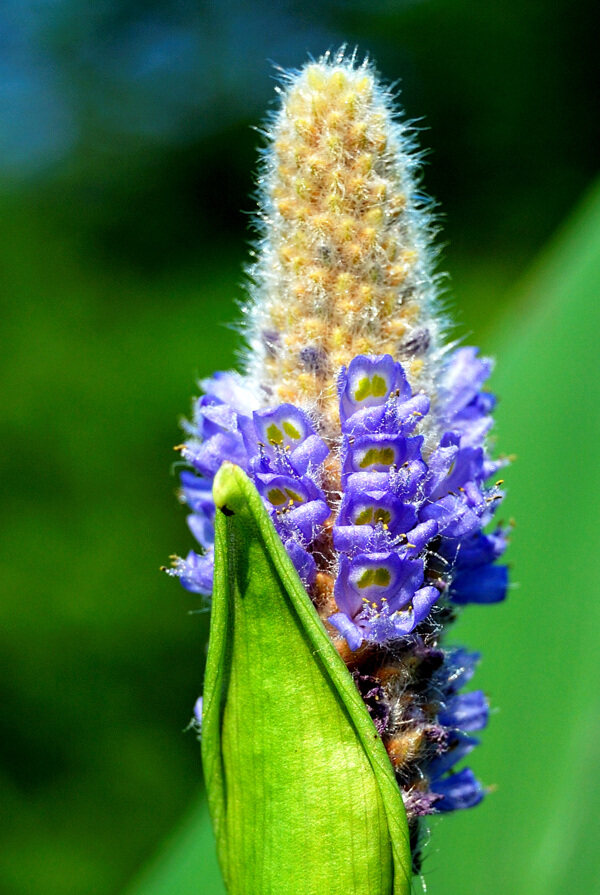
column 403, row 538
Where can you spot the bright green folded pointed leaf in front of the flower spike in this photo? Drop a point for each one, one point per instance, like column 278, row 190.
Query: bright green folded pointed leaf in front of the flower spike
column 301, row 791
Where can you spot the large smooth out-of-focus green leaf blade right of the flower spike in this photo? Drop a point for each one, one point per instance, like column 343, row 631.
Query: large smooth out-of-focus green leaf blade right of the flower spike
column 534, row 835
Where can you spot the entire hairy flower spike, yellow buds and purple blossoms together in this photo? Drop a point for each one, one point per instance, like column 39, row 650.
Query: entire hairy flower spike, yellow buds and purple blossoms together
column 365, row 435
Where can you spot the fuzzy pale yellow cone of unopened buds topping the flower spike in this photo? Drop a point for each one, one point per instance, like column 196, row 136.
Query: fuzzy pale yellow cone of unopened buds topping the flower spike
column 343, row 268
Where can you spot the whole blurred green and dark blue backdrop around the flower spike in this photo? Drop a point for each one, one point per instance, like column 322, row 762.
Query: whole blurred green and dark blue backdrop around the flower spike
column 126, row 160
